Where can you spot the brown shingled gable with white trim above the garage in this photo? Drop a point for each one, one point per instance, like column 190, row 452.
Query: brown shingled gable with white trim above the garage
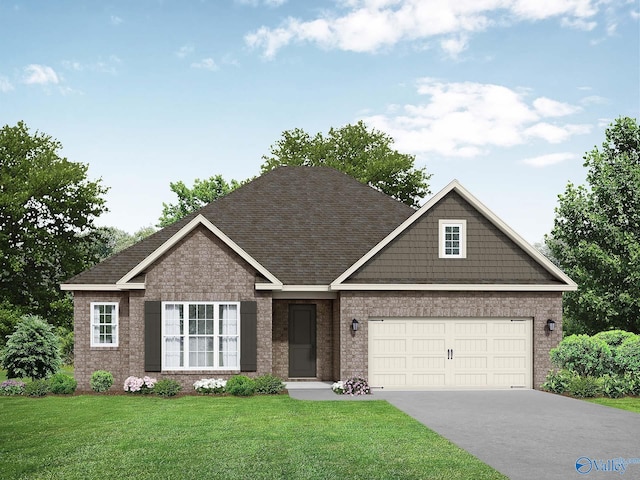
column 497, row 257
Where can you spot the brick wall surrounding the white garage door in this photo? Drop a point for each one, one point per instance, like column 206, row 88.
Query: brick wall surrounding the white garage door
column 364, row 305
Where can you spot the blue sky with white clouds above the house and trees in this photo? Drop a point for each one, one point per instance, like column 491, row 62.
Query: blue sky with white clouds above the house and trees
column 504, row 95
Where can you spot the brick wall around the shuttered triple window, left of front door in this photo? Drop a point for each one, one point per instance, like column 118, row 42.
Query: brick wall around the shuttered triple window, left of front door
column 199, row 268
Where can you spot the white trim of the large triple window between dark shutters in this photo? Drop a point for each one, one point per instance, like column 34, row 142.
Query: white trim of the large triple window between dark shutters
column 216, row 336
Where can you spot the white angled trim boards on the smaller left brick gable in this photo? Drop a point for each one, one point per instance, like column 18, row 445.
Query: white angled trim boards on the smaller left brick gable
column 183, row 232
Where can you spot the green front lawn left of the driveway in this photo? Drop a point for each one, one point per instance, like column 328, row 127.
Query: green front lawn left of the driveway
column 94, row 436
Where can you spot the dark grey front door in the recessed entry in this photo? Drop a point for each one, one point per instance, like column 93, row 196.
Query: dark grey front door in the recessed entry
column 302, row 341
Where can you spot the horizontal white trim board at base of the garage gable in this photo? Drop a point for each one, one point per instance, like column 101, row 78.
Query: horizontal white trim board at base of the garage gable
column 454, row 287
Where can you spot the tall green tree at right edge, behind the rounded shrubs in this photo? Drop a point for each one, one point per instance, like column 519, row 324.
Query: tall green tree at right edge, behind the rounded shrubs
column 596, row 235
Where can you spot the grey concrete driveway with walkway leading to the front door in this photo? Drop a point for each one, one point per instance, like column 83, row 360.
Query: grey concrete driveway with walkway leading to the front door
column 524, row 434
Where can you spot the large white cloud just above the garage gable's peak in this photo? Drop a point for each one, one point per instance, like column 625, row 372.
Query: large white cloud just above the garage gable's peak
column 467, row 119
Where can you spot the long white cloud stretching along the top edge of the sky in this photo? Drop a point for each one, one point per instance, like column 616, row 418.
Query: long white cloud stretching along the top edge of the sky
column 372, row 25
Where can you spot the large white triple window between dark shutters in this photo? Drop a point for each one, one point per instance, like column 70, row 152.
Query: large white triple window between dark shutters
column 200, row 336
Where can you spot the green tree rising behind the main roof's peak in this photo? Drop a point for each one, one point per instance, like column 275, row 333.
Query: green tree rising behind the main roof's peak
column 366, row 155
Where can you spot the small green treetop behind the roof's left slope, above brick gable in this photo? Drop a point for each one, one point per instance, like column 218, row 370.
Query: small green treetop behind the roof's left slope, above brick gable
column 192, row 199
